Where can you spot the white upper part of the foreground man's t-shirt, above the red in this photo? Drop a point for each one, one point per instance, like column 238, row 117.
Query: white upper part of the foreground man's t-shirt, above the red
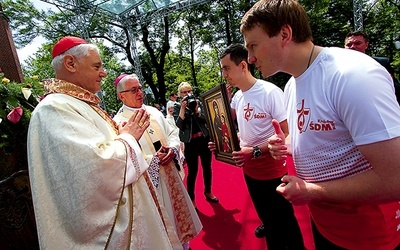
column 344, row 99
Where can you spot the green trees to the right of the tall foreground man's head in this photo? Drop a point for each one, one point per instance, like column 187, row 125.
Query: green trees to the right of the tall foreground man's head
column 332, row 20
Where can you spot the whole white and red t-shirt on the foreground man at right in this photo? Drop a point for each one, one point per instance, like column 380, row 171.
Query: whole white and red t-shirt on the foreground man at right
column 344, row 99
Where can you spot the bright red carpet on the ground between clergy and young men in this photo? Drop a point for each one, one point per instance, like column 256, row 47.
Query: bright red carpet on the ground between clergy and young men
column 230, row 224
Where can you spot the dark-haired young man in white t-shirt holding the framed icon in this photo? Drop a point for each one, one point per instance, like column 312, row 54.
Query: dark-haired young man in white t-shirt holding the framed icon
column 254, row 105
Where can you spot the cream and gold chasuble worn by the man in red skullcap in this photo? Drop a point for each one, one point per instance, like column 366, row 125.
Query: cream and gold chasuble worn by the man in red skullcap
column 78, row 167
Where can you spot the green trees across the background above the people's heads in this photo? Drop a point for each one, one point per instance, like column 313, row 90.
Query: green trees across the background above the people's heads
column 206, row 27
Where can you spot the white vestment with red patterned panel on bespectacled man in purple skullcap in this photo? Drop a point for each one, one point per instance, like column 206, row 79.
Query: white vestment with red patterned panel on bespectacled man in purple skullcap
column 172, row 192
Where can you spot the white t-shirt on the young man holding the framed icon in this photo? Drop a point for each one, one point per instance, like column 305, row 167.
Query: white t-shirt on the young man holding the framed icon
column 255, row 109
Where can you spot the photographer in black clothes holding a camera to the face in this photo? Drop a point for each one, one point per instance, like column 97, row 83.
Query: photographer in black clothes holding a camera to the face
column 190, row 119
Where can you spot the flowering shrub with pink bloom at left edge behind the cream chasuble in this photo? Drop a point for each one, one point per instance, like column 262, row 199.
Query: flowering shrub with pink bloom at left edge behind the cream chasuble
column 17, row 101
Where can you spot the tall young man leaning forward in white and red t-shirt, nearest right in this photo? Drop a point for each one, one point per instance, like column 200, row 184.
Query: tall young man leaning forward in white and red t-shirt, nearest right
column 344, row 125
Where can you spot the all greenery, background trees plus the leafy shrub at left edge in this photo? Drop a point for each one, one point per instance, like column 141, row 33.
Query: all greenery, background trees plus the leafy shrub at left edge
column 197, row 36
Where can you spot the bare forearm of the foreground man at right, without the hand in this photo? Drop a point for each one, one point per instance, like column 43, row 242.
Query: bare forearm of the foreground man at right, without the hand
column 378, row 185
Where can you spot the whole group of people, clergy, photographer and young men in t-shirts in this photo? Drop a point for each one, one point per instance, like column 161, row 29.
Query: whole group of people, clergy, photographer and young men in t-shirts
column 117, row 182
